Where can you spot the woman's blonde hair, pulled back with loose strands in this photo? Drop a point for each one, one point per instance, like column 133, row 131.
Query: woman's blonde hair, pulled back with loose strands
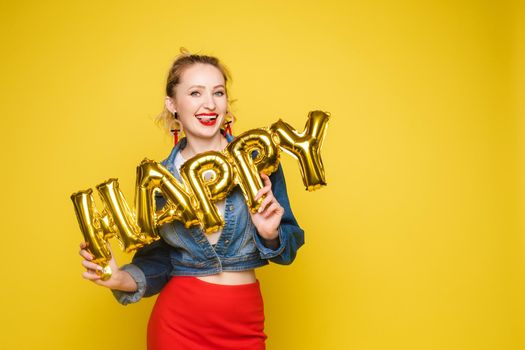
column 184, row 60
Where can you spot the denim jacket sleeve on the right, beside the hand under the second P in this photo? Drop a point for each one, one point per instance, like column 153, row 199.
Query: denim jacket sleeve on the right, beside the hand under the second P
column 291, row 236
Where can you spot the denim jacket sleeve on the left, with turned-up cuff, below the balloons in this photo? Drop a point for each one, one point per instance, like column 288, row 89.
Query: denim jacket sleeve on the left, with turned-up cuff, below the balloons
column 150, row 268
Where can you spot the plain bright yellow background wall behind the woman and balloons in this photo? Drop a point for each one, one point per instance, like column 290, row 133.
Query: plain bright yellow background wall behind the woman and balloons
column 417, row 241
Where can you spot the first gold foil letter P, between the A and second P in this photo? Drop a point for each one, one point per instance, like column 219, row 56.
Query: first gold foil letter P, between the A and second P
column 210, row 177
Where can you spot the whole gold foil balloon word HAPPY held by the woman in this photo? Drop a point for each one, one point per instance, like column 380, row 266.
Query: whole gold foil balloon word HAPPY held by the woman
column 192, row 202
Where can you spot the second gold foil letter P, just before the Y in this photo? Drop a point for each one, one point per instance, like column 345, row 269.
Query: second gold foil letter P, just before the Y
column 253, row 152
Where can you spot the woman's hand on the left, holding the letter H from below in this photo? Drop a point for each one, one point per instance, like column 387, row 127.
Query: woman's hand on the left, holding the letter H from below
column 119, row 280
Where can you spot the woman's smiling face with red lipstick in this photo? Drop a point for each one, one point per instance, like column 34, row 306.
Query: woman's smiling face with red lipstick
column 200, row 101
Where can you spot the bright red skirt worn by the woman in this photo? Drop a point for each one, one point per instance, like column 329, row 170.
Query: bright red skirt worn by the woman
column 191, row 314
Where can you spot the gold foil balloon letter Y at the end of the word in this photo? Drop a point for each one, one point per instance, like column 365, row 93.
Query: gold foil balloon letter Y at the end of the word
column 306, row 147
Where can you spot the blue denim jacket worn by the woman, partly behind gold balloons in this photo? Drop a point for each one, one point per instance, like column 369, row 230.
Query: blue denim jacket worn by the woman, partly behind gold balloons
column 187, row 252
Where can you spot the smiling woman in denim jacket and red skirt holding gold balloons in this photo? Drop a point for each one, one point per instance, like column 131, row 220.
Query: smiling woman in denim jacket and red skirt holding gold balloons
column 209, row 295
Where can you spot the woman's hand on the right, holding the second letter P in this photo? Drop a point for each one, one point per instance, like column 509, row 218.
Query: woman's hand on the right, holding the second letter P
column 268, row 218
